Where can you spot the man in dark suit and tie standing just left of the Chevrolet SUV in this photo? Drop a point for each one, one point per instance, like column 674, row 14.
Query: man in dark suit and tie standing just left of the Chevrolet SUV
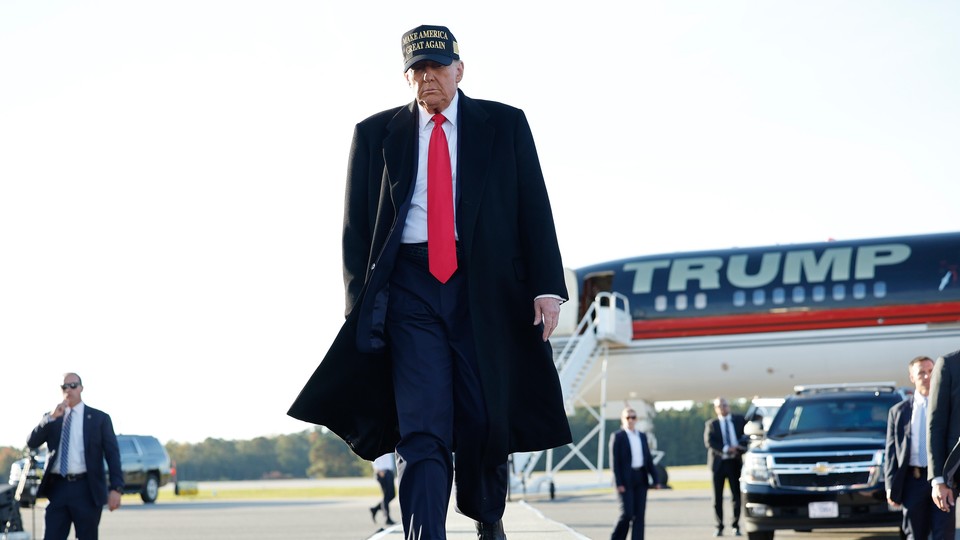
column 722, row 437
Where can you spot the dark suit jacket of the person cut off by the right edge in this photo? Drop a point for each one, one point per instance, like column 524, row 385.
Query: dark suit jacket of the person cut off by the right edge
column 943, row 412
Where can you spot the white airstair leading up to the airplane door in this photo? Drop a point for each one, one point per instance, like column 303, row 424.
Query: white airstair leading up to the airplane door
column 607, row 323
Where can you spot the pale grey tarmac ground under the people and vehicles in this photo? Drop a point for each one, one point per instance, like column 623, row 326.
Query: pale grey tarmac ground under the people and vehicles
column 583, row 508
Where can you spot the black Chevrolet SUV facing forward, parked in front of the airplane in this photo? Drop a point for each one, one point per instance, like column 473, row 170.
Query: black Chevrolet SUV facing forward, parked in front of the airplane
column 820, row 464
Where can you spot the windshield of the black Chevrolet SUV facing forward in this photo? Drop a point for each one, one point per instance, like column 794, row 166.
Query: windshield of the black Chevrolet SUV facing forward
column 799, row 416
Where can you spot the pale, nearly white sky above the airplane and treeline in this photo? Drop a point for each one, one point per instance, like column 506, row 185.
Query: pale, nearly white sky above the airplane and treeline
column 171, row 173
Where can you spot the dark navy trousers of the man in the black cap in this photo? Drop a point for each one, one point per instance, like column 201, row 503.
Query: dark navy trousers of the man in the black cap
column 440, row 404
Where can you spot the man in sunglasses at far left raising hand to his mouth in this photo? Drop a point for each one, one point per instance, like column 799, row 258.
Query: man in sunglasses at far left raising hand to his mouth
column 79, row 439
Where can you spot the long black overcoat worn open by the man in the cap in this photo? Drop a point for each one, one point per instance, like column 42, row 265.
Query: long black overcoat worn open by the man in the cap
column 510, row 255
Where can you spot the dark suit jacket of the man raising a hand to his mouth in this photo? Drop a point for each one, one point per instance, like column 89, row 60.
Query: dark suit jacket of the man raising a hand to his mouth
column 99, row 445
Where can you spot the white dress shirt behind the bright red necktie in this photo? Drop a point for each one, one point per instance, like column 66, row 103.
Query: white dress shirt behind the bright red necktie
column 415, row 227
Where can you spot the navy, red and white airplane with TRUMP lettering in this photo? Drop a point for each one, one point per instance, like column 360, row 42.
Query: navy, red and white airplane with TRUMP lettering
column 756, row 321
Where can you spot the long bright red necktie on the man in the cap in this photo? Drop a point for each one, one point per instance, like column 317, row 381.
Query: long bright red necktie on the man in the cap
column 441, row 243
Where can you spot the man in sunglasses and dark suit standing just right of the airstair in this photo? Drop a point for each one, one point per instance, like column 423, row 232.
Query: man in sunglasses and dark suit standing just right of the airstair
column 633, row 474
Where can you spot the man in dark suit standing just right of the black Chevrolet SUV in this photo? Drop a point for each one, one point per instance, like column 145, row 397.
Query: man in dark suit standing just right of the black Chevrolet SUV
column 905, row 466
